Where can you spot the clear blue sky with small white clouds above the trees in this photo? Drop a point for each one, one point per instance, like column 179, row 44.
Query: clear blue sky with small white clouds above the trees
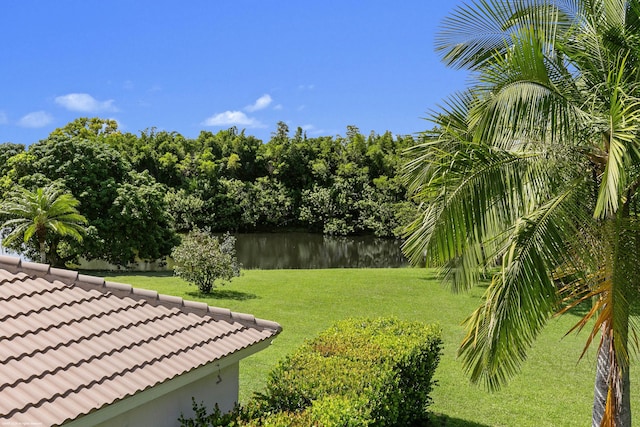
column 208, row 65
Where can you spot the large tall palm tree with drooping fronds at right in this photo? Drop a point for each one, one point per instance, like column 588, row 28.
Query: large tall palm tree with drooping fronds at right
column 532, row 176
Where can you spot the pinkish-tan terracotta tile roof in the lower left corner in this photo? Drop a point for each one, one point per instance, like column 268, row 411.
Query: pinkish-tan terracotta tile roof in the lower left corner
column 72, row 343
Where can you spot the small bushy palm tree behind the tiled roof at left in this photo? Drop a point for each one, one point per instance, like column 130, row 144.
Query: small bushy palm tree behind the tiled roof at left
column 39, row 214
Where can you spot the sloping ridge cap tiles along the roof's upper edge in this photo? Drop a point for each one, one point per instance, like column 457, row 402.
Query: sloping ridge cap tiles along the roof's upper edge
column 72, row 277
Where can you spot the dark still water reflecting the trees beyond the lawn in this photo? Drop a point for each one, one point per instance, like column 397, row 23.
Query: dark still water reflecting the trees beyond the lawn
column 305, row 250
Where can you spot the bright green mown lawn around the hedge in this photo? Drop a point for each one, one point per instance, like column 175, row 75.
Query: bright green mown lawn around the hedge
column 553, row 389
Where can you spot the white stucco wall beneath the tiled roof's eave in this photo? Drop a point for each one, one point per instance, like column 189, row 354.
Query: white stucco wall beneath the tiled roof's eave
column 164, row 411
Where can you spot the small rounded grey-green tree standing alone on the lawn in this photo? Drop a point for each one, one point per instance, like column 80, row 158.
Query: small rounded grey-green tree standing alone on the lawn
column 201, row 259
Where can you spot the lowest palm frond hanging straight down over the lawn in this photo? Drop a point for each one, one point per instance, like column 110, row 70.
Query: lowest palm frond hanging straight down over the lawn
column 523, row 296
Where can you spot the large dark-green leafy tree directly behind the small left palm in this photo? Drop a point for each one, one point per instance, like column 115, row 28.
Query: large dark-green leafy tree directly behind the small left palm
column 126, row 213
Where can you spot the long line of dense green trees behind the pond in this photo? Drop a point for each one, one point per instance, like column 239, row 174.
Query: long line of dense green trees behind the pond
column 138, row 192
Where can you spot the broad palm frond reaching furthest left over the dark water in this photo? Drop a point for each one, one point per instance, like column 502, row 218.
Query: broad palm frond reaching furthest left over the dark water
column 471, row 196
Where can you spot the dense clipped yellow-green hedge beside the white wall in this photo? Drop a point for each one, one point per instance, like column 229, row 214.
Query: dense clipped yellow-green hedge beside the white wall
column 358, row 373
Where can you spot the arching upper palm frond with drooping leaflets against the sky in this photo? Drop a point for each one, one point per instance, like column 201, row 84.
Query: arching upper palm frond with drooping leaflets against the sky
column 524, row 95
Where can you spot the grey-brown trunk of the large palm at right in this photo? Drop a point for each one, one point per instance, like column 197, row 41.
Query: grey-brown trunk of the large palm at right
column 607, row 375
